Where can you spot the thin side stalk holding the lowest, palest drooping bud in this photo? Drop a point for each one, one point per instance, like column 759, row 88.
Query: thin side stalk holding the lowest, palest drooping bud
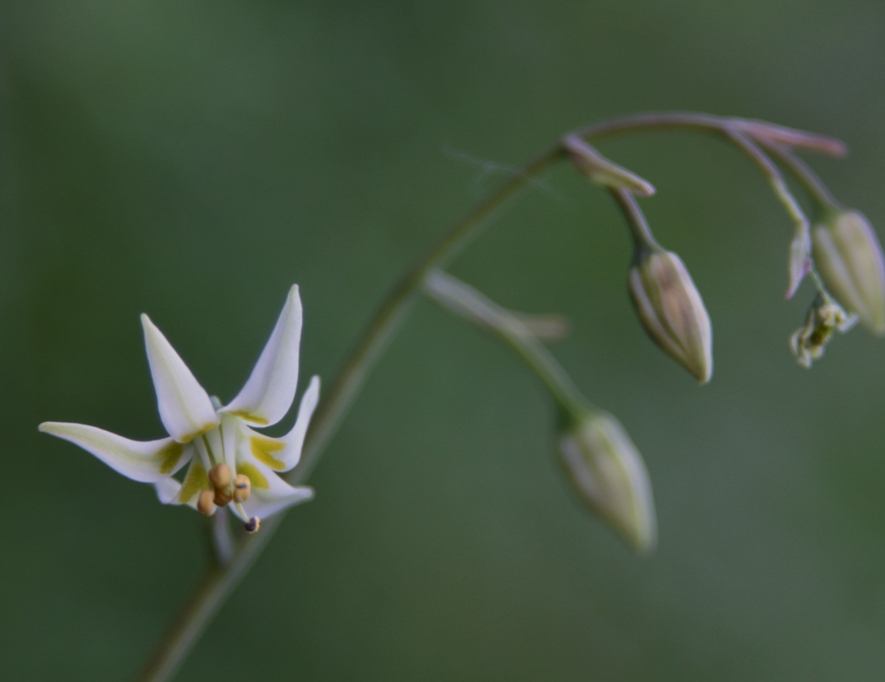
column 466, row 301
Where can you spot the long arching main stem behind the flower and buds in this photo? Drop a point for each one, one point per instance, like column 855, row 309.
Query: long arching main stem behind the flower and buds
column 218, row 581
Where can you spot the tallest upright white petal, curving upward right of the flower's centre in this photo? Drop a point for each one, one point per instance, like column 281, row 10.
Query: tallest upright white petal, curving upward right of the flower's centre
column 270, row 389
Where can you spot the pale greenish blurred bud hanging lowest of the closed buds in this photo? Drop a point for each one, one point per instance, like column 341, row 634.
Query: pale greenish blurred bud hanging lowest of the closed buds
column 609, row 475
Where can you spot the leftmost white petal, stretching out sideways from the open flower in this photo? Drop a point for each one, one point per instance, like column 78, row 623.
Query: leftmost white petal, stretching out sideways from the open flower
column 144, row 461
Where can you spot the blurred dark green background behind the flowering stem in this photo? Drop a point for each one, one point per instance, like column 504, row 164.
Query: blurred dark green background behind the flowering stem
column 192, row 159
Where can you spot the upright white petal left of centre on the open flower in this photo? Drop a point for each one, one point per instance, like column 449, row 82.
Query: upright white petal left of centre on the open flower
column 184, row 405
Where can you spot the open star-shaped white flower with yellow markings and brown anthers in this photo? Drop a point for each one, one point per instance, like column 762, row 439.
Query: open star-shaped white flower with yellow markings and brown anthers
column 230, row 462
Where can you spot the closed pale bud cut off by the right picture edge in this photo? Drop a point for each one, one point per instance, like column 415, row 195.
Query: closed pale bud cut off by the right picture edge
column 849, row 257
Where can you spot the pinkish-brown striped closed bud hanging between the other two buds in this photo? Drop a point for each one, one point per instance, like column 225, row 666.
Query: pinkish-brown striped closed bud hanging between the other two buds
column 671, row 310
